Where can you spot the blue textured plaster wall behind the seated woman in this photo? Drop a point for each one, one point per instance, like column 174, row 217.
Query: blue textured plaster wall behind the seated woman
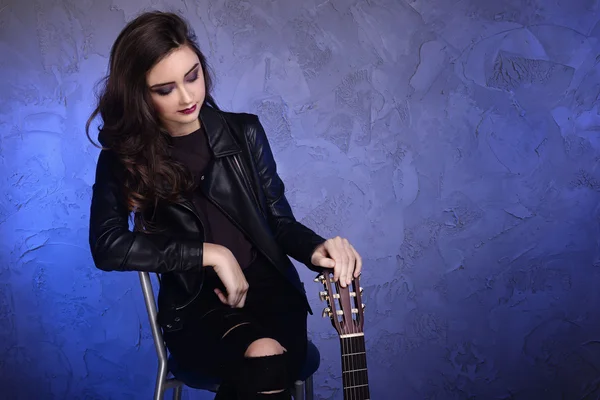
column 455, row 143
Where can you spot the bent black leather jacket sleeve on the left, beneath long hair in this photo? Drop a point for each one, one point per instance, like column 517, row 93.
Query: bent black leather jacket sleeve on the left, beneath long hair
column 115, row 248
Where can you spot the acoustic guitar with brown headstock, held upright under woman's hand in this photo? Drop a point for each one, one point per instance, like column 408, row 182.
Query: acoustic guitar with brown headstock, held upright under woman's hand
column 346, row 311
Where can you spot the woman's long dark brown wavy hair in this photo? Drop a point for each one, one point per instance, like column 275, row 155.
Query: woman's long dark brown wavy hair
column 130, row 126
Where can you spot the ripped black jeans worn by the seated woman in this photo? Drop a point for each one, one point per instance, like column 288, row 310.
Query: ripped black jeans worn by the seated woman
column 215, row 343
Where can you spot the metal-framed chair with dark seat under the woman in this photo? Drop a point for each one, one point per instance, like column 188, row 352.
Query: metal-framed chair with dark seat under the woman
column 169, row 376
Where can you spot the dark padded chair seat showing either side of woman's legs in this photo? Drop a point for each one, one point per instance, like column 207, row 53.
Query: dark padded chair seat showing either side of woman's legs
column 196, row 380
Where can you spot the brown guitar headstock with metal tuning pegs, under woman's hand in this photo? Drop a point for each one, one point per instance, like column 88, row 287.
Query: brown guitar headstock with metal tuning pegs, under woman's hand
column 344, row 304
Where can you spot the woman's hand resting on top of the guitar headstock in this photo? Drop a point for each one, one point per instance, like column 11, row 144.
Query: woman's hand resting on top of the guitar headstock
column 339, row 254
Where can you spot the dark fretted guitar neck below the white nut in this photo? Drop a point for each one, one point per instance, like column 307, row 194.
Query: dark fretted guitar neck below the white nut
column 354, row 367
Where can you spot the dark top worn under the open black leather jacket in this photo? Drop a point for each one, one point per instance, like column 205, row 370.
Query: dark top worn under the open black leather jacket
column 193, row 151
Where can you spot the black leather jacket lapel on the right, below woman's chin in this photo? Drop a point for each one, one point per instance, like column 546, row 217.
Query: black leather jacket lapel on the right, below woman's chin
column 220, row 138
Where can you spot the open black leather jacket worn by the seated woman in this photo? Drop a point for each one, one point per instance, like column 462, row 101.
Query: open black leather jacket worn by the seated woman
column 242, row 180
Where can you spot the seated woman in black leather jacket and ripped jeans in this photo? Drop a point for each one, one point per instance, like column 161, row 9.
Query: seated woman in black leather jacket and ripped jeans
column 210, row 215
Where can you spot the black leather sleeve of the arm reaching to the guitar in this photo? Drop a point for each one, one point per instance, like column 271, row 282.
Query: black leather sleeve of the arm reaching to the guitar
column 297, row 240
